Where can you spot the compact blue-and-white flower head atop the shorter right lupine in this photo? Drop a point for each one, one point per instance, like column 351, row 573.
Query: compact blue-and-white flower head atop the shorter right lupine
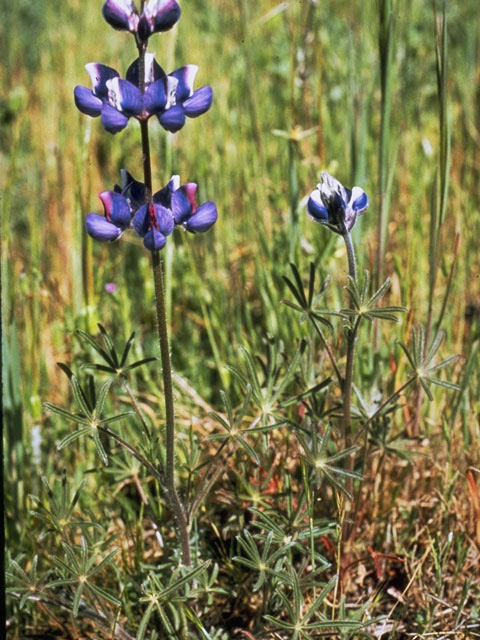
column 335, row 206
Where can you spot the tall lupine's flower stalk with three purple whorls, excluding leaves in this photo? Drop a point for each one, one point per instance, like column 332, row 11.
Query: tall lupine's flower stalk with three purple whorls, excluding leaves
column 148, row 91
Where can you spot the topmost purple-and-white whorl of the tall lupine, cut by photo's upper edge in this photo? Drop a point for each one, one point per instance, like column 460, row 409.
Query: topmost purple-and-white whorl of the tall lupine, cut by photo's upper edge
column 156, row 16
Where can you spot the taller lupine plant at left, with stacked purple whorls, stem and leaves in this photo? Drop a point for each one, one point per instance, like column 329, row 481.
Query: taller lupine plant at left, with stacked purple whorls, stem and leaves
column 135, row 207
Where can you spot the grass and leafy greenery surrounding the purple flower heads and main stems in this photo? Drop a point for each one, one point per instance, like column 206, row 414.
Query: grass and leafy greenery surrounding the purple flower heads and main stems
column 380, row 96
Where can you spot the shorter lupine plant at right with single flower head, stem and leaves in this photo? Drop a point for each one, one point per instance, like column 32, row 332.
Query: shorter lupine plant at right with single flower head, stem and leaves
column 337, row 207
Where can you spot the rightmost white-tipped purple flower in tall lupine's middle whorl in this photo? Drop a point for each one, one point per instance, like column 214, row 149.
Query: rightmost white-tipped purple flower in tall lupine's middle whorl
column 184, row 101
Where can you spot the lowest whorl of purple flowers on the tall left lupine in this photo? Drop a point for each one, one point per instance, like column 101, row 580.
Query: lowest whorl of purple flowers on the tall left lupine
column 128, row 207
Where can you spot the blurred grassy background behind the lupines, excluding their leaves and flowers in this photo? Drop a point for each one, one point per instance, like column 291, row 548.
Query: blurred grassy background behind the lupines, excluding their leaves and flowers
column 299, row 87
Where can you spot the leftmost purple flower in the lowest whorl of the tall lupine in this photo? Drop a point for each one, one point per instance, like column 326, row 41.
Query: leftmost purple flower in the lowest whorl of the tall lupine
column 115, row 220
